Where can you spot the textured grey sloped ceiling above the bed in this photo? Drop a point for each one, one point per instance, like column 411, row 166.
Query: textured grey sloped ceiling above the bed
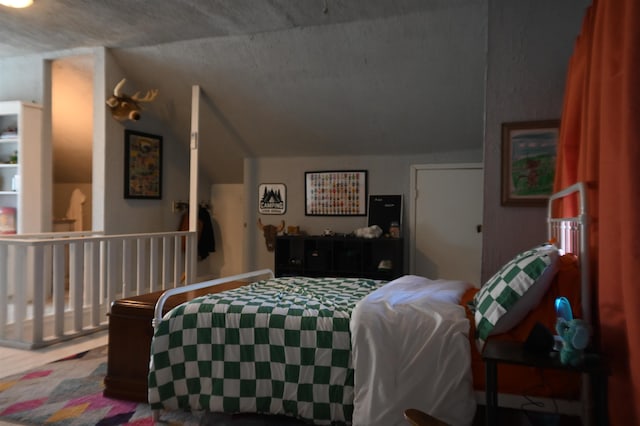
column 286, row 77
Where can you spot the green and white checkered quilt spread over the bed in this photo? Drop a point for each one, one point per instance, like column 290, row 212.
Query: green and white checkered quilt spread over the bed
column 279, row 346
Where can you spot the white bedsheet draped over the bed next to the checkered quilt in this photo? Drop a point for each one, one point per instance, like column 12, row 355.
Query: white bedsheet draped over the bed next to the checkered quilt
column 411, row 350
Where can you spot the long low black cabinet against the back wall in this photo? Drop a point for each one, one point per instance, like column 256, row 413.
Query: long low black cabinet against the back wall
column 315, row 256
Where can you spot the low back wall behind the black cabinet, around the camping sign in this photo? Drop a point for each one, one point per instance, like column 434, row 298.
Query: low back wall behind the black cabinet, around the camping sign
column 386, row 175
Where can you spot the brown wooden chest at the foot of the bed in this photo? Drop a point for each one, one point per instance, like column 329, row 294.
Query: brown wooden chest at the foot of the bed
column 130, row 333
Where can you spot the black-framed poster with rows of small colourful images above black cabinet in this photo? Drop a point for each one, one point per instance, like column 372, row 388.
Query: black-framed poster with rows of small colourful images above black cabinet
column 336, row 193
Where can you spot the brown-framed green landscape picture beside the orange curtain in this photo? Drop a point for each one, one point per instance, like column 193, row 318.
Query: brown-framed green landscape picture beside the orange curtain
column 528, row 161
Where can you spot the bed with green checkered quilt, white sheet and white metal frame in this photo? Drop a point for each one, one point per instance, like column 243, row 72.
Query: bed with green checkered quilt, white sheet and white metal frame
column 333, row 350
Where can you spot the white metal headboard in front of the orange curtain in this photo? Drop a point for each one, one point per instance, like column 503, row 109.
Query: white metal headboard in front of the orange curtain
column 571, row 235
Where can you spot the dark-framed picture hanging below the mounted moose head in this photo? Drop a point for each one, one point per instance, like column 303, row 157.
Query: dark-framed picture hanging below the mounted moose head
column 142, row 165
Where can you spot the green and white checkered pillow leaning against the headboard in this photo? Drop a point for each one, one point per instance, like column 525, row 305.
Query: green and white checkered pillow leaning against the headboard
column 513, row 291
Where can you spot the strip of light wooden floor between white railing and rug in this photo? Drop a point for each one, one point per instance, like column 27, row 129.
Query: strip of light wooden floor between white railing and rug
column 14, row 361
